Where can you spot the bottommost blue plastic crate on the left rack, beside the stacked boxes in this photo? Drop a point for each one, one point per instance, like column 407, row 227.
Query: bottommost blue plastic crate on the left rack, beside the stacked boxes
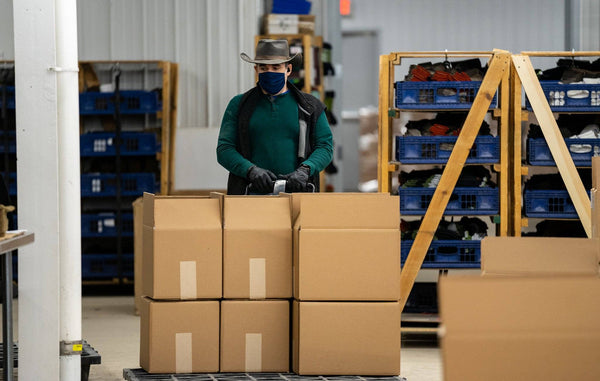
column 105, row 266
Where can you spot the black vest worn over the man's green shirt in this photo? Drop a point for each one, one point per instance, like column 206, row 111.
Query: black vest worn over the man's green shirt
column 309, row 110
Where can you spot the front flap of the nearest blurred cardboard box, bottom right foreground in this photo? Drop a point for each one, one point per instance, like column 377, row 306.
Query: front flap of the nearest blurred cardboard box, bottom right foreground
column 472, row 305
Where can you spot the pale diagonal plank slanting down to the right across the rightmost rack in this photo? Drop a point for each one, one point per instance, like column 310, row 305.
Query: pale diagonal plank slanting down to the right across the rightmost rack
column 555, row 141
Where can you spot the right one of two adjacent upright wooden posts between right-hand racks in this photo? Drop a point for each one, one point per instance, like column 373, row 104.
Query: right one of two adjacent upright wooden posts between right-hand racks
column 515, row 138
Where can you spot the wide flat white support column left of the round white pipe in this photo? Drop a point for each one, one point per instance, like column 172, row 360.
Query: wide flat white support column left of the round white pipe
column 37, row 181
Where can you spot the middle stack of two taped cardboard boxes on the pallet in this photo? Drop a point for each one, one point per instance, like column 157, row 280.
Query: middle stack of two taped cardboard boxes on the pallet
column 257, row 284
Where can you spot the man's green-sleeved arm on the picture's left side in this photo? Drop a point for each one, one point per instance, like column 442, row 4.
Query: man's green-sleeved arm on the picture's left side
column 227, row 153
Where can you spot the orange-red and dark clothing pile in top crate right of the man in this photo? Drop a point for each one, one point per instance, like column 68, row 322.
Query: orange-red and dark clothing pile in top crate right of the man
column 466, row 70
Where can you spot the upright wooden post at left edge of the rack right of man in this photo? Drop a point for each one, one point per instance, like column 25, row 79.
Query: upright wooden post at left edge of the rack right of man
column 383, row 151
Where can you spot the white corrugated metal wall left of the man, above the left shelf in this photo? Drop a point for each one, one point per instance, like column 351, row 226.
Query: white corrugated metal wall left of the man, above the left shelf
column 204, row 37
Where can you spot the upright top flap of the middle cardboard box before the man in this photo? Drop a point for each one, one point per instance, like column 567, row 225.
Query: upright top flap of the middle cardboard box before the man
column 256, row 212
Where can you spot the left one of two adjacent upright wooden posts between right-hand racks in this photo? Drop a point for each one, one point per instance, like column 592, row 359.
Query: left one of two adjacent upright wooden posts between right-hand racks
column 505, row 159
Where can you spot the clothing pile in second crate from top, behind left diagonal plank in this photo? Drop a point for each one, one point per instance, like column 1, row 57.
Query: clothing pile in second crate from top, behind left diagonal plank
column 444, row 124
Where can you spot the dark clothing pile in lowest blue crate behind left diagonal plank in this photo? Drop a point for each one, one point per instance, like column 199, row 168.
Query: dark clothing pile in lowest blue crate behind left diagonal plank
column 467, row 228
